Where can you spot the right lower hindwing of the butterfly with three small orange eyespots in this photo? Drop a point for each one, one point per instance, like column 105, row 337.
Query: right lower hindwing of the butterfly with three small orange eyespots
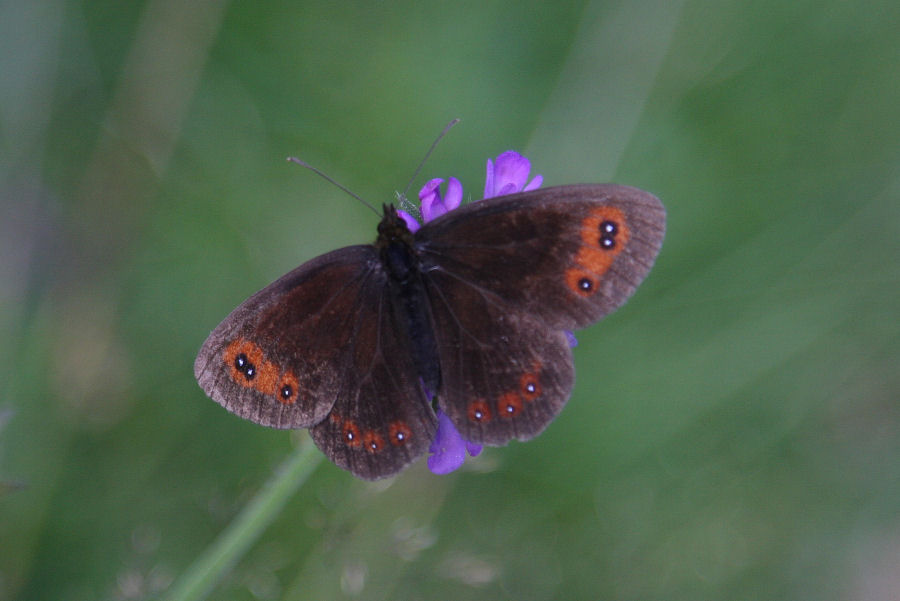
column 505, row 374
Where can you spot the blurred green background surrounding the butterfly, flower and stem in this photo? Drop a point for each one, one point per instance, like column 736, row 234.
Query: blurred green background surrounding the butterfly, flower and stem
column 735, row 429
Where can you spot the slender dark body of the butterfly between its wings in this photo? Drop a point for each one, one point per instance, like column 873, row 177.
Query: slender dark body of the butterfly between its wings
column 409, row 295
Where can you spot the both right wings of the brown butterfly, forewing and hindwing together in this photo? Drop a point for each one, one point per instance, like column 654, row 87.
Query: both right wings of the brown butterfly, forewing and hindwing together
column 508, row 276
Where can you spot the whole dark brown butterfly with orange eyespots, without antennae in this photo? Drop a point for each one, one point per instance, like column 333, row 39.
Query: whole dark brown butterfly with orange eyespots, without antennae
column 474, row 308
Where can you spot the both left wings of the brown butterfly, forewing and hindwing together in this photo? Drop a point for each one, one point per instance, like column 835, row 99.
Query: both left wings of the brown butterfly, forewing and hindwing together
column 319, row 349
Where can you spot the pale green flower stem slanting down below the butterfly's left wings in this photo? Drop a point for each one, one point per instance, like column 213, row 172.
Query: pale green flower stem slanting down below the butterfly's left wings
column 246, row 528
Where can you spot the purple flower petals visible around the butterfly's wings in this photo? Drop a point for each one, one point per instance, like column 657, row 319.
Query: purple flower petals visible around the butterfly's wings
column 506, row 175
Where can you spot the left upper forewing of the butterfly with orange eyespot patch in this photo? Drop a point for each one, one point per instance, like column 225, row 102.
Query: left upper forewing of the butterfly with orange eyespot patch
column 277, row 359
